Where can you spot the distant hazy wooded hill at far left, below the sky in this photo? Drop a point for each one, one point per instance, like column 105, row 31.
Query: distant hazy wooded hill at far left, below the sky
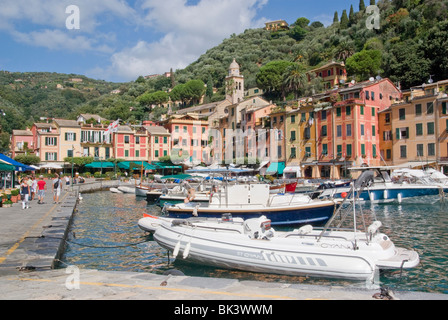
column 25, row 97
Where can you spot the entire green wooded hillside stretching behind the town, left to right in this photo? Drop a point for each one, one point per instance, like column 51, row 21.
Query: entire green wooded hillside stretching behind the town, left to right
column 409, row 46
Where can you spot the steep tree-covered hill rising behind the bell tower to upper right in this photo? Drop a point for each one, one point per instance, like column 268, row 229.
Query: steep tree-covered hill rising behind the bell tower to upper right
column 412, row 42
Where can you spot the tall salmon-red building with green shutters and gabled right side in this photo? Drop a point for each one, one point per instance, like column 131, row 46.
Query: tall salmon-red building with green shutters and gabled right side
column 348, row 129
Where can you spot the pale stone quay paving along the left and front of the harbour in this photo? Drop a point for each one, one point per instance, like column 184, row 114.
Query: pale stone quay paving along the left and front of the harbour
column 31, row 242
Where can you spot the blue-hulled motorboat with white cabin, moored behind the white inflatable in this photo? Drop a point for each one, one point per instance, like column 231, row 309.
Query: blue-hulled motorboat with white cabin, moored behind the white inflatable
column 253, row 200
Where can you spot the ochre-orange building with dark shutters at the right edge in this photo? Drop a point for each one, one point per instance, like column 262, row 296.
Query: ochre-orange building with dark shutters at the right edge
column 419, row 127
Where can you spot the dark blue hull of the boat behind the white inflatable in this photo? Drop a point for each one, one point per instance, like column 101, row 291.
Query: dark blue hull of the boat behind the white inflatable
column 316, row 214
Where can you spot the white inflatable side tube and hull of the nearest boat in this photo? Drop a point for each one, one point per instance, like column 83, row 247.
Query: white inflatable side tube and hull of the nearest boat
column 277, row 256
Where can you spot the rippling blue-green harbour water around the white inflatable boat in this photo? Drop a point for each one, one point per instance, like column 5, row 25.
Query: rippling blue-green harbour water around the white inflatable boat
column 105, row 236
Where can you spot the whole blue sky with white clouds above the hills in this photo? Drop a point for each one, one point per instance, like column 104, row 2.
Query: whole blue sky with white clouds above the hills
column 119, row 40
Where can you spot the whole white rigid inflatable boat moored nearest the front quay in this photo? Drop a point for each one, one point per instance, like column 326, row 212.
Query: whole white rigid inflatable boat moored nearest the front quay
column 252, row 245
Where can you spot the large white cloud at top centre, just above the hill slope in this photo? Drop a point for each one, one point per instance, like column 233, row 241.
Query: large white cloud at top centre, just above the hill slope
column 189, row 31
